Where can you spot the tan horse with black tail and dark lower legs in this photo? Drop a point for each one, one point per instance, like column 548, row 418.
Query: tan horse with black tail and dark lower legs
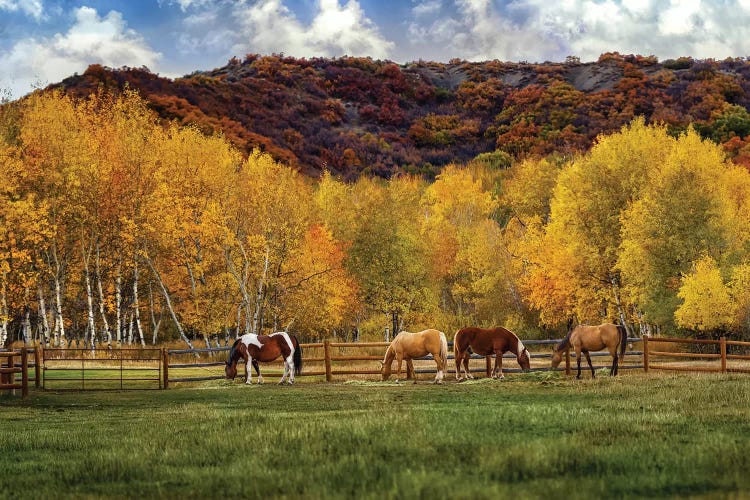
column 586, row 338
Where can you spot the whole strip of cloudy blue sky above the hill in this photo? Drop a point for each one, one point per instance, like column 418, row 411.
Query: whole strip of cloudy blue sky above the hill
column 45, row 41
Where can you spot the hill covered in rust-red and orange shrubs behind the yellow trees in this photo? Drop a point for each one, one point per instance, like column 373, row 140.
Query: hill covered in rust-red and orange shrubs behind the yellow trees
column 353, row 115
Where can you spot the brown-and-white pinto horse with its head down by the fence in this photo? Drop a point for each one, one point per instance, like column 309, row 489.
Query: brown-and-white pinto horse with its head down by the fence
column 253, row 348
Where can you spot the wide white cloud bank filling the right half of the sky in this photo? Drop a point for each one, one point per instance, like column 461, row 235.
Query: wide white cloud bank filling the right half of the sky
column 539, row 30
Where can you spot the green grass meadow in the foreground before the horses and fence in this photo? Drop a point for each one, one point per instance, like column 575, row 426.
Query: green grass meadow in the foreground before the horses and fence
column 529, row 436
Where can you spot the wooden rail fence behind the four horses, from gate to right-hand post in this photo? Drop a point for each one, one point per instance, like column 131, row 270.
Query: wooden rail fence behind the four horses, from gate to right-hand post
column 331, row 359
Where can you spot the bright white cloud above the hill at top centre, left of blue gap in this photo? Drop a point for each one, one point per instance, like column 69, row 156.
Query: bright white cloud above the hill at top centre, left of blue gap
column 268, row 26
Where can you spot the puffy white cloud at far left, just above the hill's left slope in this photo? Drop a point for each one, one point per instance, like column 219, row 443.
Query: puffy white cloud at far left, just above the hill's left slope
column 92, row 39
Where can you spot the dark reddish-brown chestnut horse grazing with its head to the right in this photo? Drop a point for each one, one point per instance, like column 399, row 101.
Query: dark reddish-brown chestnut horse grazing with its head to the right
column 488, row 341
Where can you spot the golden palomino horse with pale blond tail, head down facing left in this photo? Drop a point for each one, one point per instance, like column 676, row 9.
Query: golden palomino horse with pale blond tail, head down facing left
column 407, row 346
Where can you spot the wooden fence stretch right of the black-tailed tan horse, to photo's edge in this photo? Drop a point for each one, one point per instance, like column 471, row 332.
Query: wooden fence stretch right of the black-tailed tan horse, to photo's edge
column 712, row 362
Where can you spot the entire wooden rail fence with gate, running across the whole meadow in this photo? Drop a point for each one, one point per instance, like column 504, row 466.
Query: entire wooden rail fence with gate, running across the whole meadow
column 151, row 368
